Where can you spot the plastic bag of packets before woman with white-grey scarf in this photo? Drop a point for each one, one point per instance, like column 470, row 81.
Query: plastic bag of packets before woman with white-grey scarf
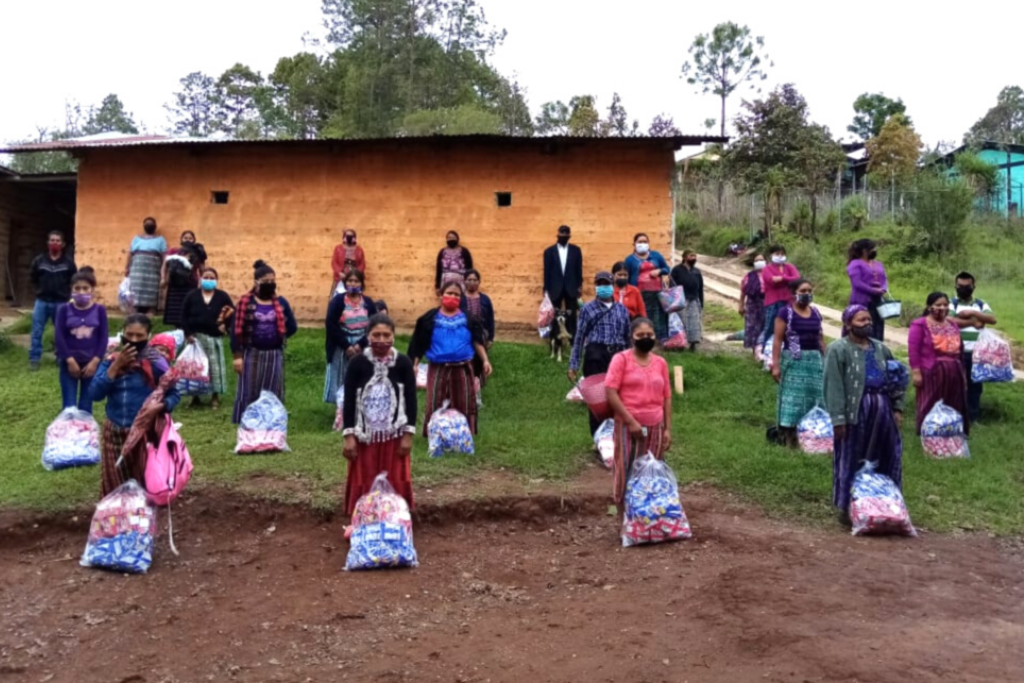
column 381, row 534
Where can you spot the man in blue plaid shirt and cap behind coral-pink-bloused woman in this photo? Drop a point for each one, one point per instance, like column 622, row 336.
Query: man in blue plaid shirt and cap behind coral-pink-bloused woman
column 603, row 331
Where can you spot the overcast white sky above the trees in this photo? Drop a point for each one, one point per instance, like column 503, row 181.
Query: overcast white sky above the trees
column 948, row 66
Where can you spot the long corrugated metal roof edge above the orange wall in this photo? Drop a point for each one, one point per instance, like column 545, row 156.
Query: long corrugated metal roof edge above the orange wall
column 108, row 141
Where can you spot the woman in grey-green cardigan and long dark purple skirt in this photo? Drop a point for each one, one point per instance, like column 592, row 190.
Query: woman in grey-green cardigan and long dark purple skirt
column 864, row 394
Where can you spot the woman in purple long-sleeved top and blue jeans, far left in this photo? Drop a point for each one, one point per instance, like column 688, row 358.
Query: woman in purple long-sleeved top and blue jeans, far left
column 80, row 334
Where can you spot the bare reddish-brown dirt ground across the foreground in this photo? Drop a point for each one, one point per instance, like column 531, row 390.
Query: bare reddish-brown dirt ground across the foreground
column 514, row 586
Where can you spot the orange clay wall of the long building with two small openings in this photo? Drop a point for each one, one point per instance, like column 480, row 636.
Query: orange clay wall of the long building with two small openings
column 289, row 204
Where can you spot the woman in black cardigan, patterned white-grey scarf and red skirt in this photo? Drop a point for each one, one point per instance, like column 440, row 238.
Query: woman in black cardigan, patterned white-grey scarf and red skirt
column 379, row 415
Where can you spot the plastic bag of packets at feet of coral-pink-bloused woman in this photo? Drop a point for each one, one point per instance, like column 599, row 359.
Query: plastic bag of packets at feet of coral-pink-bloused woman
column 654, row 513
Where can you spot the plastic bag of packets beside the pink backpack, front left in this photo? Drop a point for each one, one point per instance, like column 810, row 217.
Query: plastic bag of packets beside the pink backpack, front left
column 122, row 531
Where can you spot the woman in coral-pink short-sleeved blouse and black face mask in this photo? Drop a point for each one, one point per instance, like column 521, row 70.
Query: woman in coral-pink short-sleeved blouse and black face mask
column 639, row 395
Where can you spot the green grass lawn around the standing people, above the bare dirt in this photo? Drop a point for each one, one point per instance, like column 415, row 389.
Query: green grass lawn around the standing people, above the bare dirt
column 528, row 429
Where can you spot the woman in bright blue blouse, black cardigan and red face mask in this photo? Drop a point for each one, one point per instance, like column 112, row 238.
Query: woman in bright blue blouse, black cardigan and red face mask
column 450, row 340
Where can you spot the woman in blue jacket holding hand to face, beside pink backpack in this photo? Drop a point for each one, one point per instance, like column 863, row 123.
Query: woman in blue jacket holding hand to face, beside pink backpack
column 125, row 379
